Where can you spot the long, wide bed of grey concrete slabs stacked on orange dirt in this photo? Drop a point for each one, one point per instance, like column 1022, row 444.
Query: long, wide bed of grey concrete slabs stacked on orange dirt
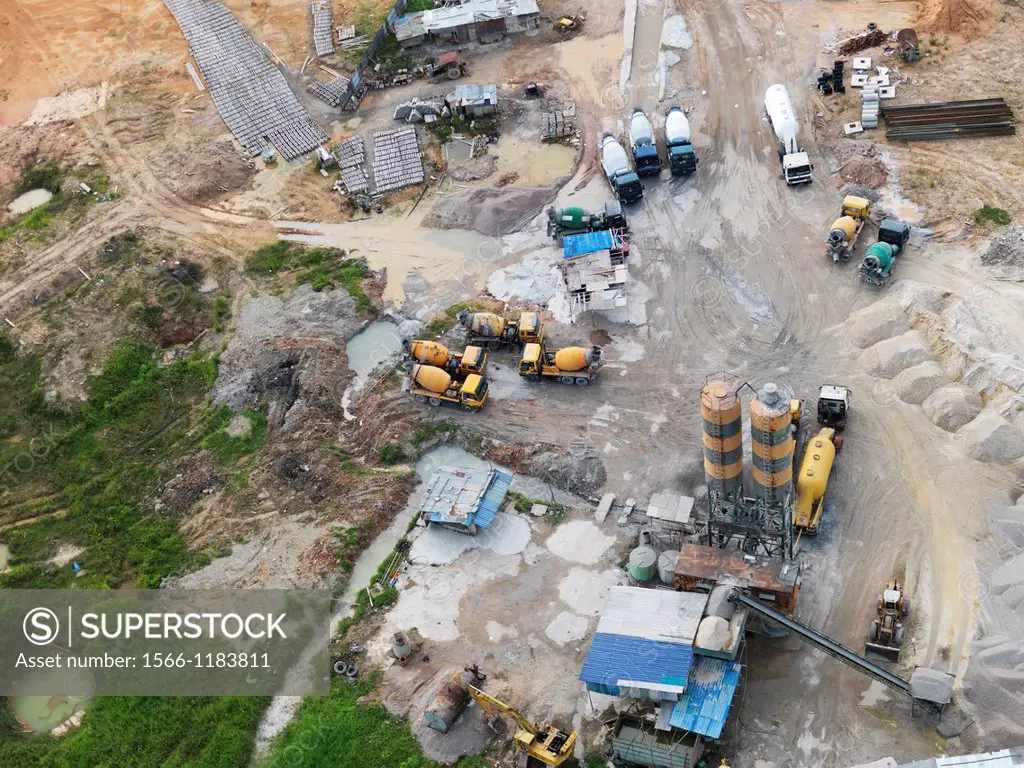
column 251, row 95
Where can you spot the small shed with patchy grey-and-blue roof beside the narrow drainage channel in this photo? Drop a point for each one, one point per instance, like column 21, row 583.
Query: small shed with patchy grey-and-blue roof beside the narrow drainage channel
column 464, row 500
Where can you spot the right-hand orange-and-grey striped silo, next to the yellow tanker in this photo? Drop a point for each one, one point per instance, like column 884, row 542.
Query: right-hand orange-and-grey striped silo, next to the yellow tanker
column 772, row 445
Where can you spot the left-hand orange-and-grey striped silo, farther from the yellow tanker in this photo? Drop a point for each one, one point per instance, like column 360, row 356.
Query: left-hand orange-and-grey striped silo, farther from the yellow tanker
column 723, row 437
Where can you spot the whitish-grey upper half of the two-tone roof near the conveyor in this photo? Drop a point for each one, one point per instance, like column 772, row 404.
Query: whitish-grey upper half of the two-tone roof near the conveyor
column 663, row 616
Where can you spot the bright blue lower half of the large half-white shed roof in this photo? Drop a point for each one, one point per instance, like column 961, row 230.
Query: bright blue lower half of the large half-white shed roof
column 615, row 659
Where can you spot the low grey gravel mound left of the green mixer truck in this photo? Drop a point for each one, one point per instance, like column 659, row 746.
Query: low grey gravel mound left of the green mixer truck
column 492, row 212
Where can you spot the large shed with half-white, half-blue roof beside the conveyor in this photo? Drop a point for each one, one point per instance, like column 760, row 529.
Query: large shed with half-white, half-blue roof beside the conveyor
column 644, row 648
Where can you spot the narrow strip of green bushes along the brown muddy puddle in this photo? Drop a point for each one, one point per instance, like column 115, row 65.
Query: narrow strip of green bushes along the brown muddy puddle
column 321, row 268
